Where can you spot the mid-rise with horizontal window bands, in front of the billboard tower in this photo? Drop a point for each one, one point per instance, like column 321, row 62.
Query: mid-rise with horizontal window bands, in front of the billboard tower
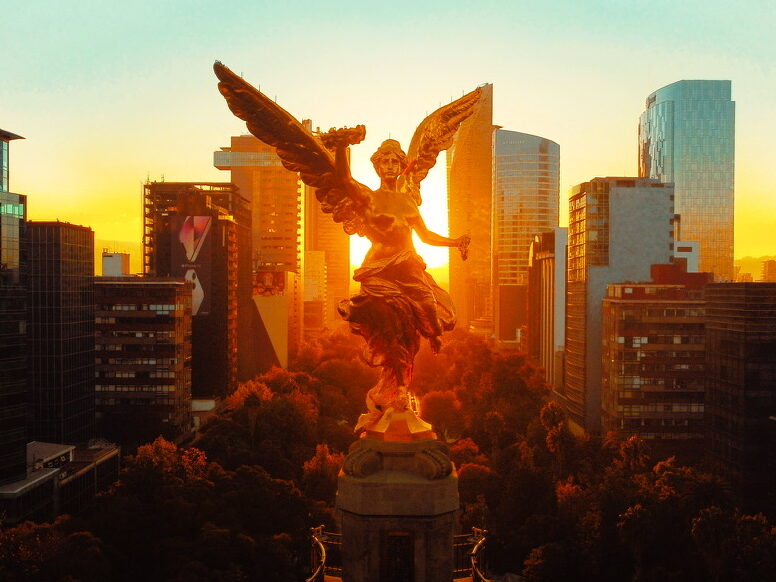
column 143, row 358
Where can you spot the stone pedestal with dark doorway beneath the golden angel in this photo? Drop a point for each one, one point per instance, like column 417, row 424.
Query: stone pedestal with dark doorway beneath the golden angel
column 397, row 504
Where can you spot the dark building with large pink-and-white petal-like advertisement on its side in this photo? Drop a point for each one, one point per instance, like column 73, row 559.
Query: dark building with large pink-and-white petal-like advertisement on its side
column 193, row 231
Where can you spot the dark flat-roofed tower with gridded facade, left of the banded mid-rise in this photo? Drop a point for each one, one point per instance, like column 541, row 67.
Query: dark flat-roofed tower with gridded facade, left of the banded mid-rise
column 61, row 331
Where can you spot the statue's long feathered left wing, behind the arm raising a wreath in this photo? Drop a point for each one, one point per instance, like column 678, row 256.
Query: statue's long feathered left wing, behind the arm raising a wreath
column 298, row 149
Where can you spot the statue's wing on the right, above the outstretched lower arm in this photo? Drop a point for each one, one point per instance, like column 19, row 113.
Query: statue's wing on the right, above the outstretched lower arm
column 433, row 135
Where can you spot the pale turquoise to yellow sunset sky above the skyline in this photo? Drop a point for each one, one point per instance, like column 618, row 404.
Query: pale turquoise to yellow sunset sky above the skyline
column 110, row 95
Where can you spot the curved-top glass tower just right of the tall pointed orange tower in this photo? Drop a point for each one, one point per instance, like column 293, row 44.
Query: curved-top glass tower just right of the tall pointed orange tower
column 526, row 174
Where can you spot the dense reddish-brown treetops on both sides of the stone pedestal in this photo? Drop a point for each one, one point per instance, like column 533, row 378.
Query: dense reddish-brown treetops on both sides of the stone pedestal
column 236, row 505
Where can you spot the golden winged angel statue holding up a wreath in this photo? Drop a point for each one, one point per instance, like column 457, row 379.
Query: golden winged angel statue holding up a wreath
column 399, row 302
